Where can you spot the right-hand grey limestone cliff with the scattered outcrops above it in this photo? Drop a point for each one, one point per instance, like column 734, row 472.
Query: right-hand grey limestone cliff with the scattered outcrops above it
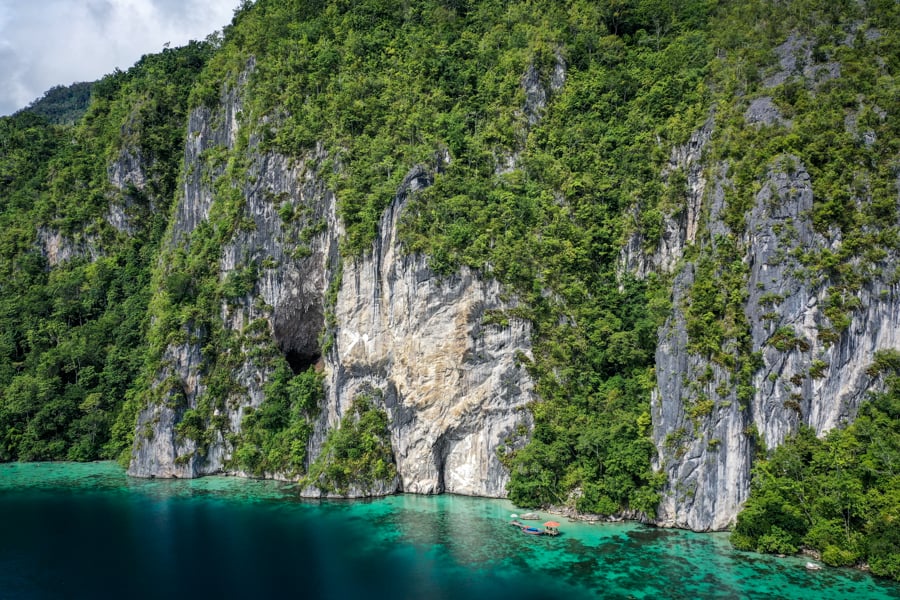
column 805, row 337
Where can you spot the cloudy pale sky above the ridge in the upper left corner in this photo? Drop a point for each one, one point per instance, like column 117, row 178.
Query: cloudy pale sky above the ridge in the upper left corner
column 44, row 43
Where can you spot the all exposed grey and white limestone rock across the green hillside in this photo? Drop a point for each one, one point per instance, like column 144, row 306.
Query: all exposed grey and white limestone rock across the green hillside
column 450, row 377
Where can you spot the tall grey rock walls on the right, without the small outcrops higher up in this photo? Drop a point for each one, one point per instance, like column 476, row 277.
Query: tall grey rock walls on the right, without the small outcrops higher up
column 805, row 376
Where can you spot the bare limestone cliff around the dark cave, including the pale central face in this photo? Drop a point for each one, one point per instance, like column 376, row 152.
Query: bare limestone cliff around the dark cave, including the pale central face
column 451, row 384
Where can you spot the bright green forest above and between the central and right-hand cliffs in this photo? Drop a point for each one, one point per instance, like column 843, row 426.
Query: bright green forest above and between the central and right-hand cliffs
column 539, row 183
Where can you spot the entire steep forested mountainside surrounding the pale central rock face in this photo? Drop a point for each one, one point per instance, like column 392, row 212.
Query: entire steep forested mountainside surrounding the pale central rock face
column 624, row 168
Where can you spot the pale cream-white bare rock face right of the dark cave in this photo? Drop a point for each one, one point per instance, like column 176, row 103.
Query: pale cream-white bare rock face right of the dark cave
column 452, row 387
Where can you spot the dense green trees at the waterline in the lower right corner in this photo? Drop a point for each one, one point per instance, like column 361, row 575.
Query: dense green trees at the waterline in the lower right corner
column 839, row 495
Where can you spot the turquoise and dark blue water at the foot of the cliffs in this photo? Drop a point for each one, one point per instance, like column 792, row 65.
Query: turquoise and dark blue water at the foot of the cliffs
column 88, row 531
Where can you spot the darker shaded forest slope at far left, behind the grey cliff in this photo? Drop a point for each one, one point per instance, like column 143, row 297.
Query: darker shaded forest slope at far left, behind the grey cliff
column 74, row 332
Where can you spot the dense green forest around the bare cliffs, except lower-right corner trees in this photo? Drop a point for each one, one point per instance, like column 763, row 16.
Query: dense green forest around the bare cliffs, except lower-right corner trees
column 539, row 190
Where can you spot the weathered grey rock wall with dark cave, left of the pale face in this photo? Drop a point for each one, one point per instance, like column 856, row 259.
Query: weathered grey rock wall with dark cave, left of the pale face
column 287, row 297
